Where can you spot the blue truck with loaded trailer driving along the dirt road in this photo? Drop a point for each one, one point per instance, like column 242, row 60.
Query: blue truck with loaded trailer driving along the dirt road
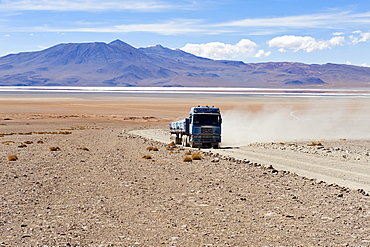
column 201, row 129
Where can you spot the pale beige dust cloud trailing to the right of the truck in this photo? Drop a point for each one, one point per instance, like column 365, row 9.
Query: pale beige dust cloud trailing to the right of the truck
column 285, row 123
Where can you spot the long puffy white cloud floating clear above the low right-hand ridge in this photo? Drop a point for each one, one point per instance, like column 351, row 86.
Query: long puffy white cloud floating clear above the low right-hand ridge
column 306, row 43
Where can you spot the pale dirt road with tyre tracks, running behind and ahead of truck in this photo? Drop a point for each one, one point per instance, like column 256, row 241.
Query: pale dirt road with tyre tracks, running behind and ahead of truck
column 352, row 171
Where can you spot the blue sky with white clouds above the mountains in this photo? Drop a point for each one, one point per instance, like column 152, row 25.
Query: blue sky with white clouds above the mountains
column 308, row 31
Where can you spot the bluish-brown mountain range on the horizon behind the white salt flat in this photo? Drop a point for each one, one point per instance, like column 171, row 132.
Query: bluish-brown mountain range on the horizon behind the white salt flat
column 119, row 64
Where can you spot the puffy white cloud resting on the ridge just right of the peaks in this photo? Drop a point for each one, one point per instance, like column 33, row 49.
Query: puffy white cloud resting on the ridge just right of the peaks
column 217, row 50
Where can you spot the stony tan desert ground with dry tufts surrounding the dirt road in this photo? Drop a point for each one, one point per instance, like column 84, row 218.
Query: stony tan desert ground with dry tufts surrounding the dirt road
column 97, row 189
